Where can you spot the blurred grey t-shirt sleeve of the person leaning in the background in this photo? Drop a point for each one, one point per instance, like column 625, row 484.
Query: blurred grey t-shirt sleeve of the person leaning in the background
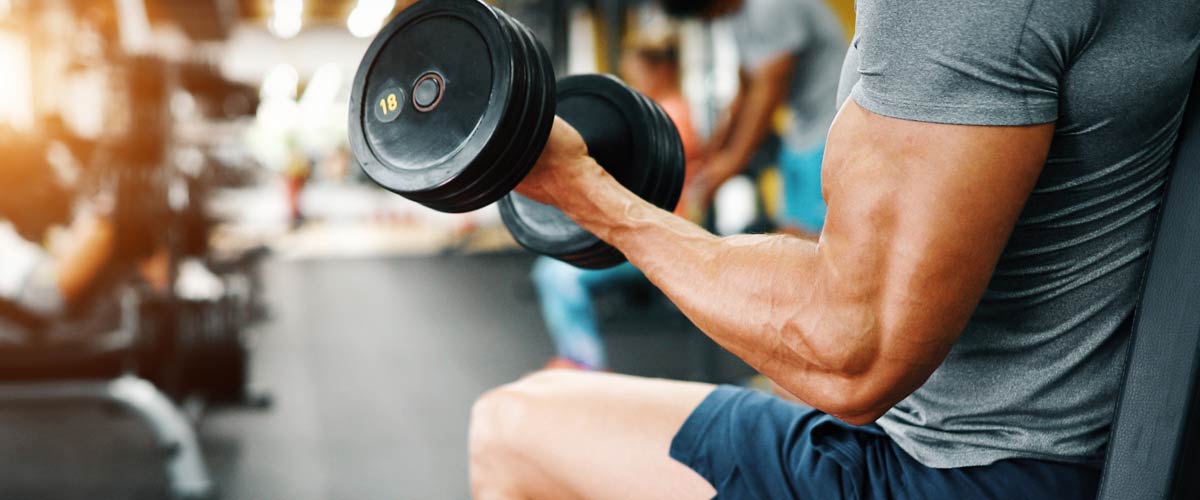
column 770, row 29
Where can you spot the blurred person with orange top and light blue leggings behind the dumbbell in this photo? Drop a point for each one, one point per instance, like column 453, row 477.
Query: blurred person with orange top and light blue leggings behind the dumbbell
column 651, row 65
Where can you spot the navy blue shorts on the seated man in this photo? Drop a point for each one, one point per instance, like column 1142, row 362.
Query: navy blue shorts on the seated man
column 752, row 445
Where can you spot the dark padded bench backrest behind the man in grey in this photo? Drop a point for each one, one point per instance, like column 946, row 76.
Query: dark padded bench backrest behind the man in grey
column 1154, row 448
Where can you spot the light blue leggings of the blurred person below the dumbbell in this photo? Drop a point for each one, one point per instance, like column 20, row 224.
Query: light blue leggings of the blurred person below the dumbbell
column 566, row 293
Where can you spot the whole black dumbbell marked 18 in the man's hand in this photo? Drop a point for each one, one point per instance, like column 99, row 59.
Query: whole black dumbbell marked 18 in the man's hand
column 454, row 104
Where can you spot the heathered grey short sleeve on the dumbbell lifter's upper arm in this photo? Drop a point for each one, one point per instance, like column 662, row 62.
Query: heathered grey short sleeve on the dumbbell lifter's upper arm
column 964, row 62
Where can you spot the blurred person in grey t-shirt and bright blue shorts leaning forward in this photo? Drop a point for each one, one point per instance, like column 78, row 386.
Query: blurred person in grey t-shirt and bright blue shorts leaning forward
column 791, row 55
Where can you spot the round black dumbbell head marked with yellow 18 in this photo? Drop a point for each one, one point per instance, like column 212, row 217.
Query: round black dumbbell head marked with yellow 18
column 463, row 142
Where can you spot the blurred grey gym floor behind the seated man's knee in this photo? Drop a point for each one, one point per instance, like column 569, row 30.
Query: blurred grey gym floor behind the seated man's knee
column 373, row 365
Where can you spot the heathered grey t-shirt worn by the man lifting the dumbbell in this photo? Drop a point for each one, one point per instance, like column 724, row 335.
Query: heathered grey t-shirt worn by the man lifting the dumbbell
column 1036, row 372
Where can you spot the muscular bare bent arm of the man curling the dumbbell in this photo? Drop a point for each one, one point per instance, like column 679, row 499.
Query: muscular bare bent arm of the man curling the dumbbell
column 919, row 218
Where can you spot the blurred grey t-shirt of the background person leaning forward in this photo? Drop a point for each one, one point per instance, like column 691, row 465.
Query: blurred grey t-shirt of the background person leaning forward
column 769, row 29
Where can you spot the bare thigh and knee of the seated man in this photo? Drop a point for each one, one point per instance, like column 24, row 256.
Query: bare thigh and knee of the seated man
column 563, row 435
